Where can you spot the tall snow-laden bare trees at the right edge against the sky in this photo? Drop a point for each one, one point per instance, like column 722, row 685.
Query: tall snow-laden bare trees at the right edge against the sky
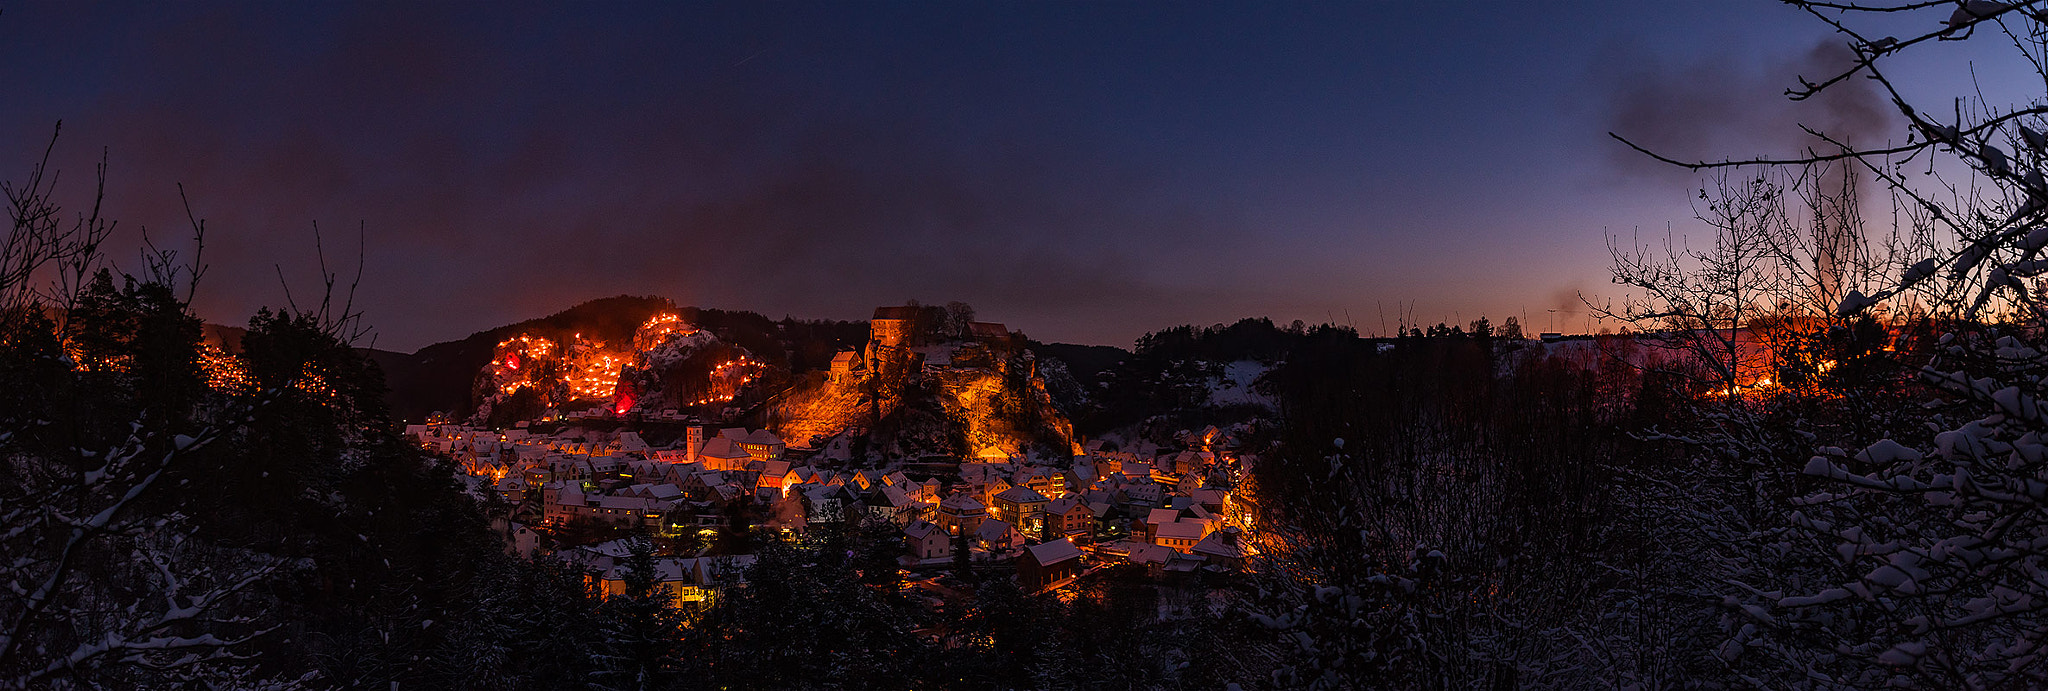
column 1914, row 559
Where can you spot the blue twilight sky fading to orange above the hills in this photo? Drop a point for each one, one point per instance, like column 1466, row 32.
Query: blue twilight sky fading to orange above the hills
column 1082, row 171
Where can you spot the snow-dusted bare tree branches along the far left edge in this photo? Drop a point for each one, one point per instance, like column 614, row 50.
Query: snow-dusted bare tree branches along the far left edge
column 99, row 583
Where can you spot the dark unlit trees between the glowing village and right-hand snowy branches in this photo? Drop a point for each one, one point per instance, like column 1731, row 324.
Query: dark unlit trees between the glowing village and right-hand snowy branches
column 1435, row 505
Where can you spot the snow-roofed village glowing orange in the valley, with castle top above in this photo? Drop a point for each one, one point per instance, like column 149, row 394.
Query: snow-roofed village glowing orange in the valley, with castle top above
column 583, row 487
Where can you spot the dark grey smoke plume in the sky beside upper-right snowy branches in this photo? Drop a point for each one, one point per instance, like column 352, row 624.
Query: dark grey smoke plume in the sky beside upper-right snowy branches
column 1719, row 110
